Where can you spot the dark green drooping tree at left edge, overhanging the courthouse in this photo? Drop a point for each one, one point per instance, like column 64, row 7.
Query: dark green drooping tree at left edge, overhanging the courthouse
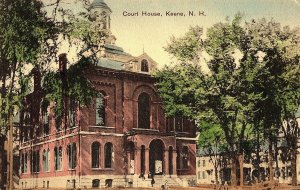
column 29, row 39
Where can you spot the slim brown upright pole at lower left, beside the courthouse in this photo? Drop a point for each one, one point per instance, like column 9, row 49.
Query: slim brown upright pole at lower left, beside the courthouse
column 10, row 155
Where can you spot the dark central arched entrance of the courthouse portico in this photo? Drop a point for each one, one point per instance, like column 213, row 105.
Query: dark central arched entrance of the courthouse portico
column 156, row 157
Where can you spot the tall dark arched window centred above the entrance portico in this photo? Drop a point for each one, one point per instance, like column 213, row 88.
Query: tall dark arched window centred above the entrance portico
column 144, row 111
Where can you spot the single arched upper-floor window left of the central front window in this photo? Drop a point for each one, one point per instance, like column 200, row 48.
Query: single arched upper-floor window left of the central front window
column 100, row 109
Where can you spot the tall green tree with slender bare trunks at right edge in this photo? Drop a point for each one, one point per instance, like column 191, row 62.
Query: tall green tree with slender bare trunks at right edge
column 279, row 81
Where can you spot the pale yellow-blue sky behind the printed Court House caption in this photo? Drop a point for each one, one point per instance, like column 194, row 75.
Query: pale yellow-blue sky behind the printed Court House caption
column 138, row 34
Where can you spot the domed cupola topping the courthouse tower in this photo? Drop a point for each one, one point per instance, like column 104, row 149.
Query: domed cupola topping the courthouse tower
column 100, row 13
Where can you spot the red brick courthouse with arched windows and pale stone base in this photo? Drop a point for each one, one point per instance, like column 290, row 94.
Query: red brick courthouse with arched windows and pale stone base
column 126, row 142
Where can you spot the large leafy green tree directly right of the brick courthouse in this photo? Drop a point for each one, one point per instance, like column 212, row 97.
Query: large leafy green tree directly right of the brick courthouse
column 225, row 95
